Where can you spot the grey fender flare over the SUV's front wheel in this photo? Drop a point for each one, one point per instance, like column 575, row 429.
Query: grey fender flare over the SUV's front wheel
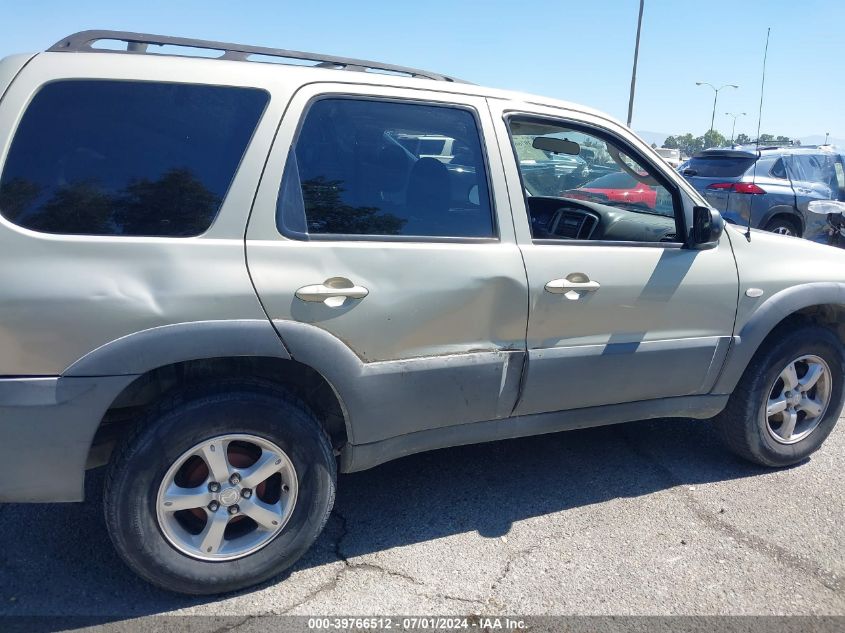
column 765, row 318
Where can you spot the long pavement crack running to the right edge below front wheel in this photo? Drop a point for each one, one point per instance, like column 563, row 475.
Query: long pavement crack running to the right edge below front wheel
column 756, row 543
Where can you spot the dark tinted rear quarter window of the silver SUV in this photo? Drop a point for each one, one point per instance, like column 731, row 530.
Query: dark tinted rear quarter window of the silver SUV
column 101, row 157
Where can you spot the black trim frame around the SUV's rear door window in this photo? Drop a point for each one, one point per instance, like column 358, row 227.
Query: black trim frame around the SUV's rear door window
column 342, row 237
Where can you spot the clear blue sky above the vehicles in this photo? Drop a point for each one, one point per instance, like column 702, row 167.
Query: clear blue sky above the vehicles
column 576, row 50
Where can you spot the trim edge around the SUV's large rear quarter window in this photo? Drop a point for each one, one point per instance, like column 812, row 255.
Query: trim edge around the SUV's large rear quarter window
column 112, row 236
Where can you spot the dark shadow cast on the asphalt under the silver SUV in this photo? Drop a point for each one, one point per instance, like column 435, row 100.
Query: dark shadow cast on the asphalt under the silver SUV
column 61, row 562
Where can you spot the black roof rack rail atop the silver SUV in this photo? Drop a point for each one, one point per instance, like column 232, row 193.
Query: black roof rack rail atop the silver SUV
column 138, row 43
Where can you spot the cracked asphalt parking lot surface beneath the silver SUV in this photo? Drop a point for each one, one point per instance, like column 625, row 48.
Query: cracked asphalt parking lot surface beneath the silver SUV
column 645, row 518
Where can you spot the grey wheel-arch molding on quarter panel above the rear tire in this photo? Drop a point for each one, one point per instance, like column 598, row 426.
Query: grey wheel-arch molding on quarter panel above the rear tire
column 143, row 351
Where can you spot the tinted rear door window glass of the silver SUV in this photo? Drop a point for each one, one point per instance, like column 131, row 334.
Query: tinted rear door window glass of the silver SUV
column 365, row 167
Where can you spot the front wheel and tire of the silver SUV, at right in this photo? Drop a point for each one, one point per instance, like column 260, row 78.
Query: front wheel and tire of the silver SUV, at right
column 789, row 398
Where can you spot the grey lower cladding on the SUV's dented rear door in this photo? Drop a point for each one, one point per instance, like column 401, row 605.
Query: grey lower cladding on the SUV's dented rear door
column 389, row 398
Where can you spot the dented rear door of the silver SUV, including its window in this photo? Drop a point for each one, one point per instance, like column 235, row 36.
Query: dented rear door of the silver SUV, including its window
column 406, row 260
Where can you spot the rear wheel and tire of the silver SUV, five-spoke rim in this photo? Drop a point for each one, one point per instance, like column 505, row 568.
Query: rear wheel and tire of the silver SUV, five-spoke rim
column 220, row 488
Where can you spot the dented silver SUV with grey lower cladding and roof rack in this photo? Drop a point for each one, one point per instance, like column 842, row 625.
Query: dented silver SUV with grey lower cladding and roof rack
column 226, row 280
